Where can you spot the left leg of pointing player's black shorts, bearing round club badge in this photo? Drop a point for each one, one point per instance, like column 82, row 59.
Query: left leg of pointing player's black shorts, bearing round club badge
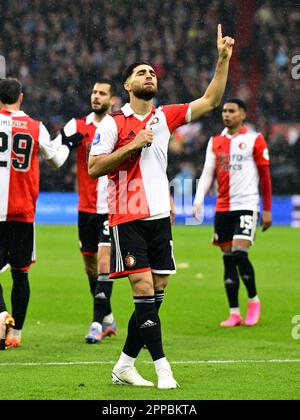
column 129, row 250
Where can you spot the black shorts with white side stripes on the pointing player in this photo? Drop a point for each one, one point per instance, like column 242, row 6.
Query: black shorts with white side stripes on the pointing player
column 141, row 246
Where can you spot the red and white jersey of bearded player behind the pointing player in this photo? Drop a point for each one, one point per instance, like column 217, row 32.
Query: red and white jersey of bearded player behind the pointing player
column 92, row 193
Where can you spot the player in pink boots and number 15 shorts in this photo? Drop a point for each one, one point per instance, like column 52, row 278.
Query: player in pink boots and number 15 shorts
column 240, row 159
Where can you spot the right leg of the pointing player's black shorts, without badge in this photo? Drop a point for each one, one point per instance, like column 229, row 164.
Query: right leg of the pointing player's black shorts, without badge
column 160, row 246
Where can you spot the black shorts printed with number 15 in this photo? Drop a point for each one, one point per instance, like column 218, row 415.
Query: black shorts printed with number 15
column 235, row 225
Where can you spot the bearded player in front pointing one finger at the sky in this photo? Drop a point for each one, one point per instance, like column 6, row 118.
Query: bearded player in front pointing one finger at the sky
column 131, row 146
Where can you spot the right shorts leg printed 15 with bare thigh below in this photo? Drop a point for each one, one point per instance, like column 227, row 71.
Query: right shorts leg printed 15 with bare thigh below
column 245, row 228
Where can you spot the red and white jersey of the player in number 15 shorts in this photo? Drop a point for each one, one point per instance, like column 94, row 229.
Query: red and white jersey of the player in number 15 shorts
column 236, row 160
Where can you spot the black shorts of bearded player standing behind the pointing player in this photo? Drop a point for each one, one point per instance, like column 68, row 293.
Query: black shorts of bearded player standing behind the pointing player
column 93, row 232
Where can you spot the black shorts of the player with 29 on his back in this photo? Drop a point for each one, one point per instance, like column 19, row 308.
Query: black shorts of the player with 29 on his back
column 17, row 247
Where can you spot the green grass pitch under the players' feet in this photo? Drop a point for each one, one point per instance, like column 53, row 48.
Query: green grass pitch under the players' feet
column 60, row 310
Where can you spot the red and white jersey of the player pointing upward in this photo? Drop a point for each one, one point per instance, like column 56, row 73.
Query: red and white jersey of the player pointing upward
column 139, row 187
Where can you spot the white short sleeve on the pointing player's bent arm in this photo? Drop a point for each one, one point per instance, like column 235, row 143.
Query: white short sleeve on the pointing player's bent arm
column 105, row 138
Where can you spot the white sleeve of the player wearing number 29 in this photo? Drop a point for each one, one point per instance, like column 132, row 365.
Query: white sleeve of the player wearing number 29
column 56, row 156
